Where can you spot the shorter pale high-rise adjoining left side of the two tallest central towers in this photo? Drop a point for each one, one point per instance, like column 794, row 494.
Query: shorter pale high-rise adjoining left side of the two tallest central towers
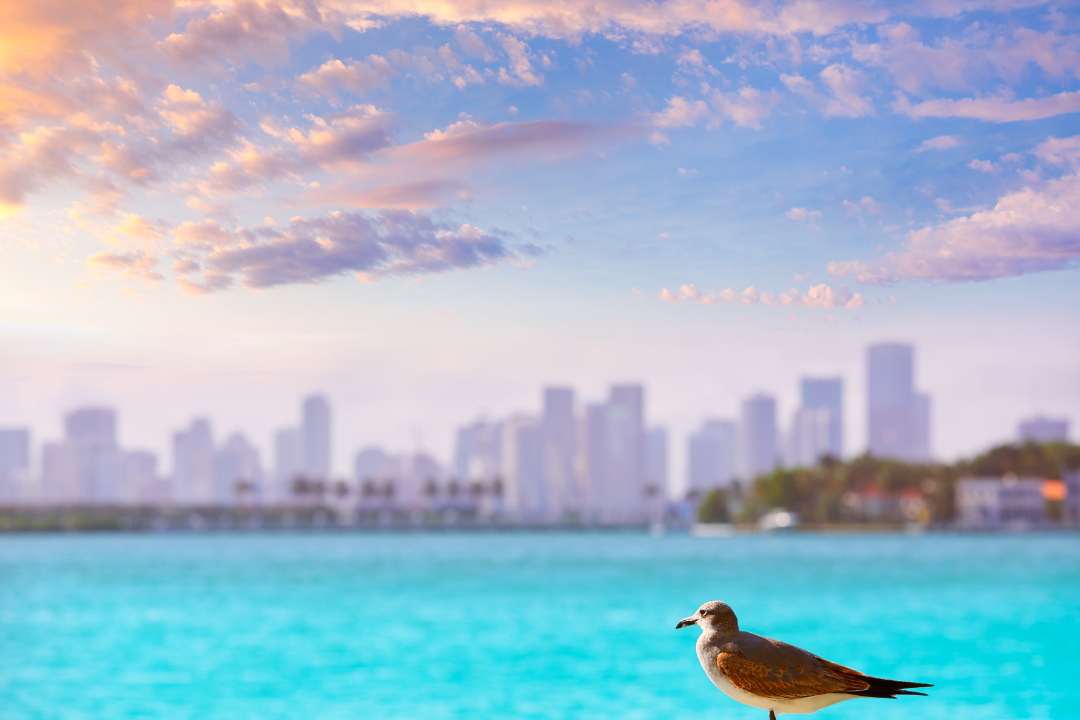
column 522, row 470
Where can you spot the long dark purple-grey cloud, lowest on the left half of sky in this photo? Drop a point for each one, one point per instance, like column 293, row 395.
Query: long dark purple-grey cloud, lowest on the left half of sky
column 395, row 243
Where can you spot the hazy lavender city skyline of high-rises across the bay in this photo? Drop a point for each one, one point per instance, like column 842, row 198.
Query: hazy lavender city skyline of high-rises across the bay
column 549, row 460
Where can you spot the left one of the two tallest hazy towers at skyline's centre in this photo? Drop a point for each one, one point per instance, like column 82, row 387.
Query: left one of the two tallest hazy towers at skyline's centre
column 563, row 492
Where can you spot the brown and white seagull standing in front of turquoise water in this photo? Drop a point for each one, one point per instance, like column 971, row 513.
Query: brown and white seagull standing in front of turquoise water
column 775, row 676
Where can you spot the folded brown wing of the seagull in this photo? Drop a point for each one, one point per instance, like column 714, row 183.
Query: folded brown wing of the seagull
column 791, row 683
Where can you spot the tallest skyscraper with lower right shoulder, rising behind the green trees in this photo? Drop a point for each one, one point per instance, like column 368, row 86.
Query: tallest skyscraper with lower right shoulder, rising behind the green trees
column 899, row 417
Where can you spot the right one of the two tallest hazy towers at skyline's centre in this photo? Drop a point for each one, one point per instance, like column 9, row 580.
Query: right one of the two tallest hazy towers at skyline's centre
column 626, row 415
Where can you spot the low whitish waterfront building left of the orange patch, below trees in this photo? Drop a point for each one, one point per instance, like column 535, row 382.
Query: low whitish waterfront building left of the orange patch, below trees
column 1005, row 502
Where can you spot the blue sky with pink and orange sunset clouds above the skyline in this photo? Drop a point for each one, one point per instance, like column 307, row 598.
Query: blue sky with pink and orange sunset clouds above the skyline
column 429, row 211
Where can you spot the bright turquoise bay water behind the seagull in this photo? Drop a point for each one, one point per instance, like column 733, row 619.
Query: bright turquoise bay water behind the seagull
column 476, row 627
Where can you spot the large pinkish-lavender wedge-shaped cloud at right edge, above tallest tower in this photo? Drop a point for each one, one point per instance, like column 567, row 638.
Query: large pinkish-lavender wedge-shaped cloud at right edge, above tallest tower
column 1033, row 229
